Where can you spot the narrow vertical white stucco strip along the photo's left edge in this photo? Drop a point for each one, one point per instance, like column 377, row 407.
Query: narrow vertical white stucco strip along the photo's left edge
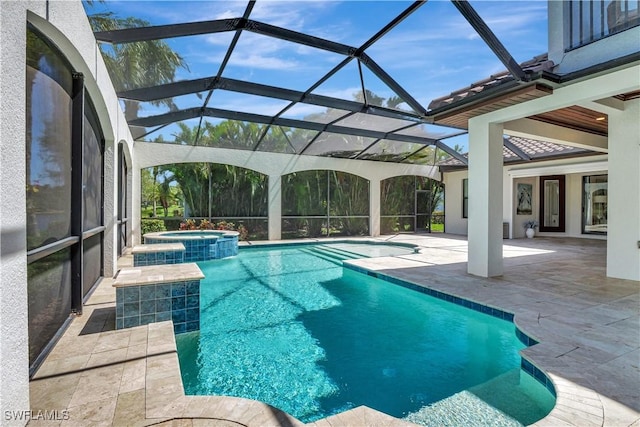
column 14, row 359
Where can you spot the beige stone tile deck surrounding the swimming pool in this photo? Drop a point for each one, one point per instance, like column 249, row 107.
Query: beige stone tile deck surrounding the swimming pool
column 588, row 327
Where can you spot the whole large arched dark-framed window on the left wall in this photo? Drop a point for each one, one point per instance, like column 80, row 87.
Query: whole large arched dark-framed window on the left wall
column 64, row 193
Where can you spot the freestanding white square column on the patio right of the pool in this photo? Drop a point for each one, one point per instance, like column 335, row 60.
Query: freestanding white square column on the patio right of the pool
column 485, row 199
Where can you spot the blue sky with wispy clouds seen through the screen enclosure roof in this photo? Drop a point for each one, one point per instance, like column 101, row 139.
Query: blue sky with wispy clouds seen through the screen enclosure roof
column 430, row 54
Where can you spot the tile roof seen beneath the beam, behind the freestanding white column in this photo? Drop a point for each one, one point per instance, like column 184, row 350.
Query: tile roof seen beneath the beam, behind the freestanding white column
column 537, row 150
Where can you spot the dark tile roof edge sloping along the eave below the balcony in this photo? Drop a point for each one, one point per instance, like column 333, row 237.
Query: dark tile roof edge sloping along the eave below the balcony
column 537, row 64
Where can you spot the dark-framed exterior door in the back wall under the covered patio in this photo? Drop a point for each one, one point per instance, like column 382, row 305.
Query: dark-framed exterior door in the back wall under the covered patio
column 552, row 203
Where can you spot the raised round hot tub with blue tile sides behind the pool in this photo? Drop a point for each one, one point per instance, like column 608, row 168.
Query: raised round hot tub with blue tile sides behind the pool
column 200, row 245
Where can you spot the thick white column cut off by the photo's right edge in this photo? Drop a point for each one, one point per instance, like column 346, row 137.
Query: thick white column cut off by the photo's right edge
column 623, row 235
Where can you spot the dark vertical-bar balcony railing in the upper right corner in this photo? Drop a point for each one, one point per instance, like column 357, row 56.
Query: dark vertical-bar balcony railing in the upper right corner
column 591, row 20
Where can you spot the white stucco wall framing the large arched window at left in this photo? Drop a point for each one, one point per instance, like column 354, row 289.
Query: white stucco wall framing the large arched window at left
column 64, row 23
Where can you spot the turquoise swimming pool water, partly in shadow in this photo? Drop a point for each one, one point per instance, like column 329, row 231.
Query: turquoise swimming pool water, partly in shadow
column 294, row 329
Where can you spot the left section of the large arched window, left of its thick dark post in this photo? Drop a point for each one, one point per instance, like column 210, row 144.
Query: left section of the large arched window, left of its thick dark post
column 49, row 87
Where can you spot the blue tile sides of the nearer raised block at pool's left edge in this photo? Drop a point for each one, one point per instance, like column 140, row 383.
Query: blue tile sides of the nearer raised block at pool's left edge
column 144, row 304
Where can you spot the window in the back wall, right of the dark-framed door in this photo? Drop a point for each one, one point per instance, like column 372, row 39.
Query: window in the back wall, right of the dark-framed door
column 594, row 204
